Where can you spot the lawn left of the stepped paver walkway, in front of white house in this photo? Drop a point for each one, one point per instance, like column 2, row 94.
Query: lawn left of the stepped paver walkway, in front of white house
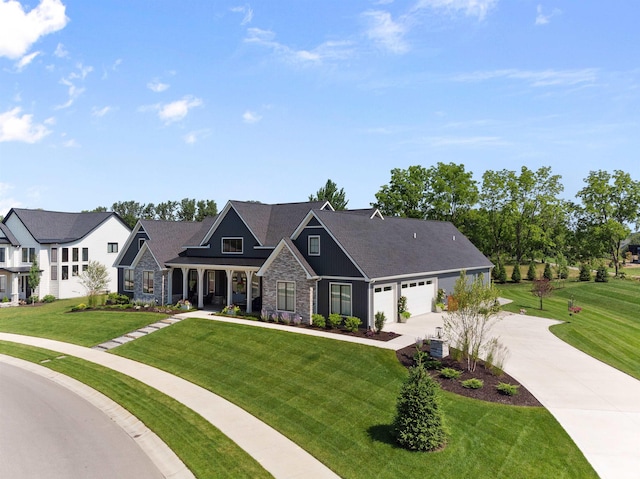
column 86, row 328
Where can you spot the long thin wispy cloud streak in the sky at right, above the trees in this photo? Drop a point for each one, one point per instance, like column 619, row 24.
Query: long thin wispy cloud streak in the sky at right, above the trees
column 543, row 78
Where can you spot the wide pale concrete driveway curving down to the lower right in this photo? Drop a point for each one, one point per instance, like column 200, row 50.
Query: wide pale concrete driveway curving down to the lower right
column 597, row 405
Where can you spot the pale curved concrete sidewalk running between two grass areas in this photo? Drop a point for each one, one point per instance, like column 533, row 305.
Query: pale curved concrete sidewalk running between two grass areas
column 276, row 453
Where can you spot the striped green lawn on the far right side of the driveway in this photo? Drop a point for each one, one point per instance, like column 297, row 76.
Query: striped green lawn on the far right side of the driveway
column 607, row 328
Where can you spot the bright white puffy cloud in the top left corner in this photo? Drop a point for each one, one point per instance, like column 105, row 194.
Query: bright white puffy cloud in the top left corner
column 19, row 30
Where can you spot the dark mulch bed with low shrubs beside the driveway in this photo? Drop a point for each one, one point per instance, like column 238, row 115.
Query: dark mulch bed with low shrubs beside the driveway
column 487, row 393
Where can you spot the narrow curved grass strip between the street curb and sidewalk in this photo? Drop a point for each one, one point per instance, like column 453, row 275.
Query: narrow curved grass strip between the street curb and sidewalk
column 204, row 449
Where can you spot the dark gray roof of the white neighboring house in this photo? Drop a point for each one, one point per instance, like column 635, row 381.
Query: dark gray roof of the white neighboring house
column 48, row 227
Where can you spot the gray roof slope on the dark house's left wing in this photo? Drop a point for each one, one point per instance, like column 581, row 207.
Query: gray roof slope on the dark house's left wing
column 167, row 238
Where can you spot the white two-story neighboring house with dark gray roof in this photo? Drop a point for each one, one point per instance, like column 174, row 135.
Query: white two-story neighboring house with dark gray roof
column 63, row 243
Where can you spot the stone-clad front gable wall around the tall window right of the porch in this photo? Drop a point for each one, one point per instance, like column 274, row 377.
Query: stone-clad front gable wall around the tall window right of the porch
column 286, row 268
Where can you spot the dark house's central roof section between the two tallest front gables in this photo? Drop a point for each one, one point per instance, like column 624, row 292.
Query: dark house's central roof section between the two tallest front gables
column 271, row 223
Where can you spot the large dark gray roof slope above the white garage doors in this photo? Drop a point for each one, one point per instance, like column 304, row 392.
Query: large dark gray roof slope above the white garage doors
column 400, row 246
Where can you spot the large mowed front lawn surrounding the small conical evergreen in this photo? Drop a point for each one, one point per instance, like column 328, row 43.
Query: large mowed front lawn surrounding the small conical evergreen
column 337, row 401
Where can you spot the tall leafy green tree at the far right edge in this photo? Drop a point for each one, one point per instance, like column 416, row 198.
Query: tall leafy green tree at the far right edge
column 611, row 203
